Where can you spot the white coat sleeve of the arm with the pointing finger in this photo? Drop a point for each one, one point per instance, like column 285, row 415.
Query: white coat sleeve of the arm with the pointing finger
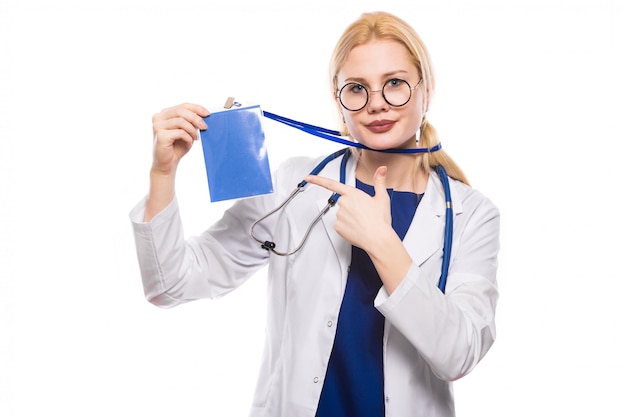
column 452, row 332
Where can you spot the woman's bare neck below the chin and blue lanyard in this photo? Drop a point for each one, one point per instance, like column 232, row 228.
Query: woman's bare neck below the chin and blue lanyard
column 403, row 173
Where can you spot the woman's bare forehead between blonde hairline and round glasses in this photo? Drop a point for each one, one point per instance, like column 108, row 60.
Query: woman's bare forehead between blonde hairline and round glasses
column 377, row 59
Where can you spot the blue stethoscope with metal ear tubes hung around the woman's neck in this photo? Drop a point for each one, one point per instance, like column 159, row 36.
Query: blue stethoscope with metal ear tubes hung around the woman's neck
column 441, row 172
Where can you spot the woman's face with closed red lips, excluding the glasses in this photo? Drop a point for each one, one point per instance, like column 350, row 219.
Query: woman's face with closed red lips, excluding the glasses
column 379, row 125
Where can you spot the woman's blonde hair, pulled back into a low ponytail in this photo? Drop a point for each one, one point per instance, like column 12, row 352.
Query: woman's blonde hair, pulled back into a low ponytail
column 385, row 26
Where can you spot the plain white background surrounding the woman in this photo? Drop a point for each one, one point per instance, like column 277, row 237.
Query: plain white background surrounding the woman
column 530, row 102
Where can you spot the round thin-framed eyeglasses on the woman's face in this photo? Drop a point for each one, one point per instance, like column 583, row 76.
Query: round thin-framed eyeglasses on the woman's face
column 396, row 92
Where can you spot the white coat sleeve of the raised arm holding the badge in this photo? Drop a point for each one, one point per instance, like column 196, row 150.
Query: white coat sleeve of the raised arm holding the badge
column 175, row 270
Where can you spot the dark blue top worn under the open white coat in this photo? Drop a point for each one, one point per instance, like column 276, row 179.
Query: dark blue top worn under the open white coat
column 353, row 386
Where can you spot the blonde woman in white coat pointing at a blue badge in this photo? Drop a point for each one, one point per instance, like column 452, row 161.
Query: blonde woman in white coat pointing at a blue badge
column 356, row 324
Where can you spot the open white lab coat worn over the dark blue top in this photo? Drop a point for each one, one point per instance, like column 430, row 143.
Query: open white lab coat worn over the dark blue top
column 430, row 339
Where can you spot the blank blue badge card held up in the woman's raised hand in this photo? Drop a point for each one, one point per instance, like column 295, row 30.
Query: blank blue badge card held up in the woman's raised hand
column 235, row 154
